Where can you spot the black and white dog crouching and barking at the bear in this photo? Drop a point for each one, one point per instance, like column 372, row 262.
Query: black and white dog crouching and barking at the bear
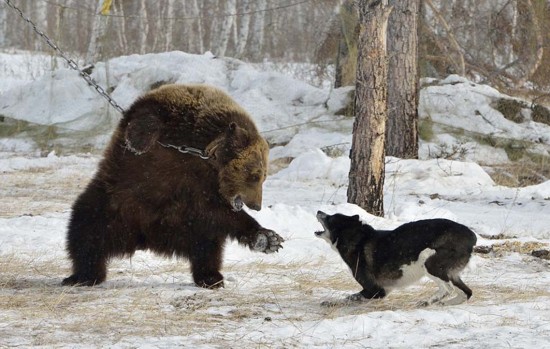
column 383, row 260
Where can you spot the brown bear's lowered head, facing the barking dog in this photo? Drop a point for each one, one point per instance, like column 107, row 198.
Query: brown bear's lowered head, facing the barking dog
column 241, row 159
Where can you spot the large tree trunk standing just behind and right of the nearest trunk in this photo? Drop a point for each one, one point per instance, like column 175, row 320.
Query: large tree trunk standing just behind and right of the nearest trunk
column 402, row 124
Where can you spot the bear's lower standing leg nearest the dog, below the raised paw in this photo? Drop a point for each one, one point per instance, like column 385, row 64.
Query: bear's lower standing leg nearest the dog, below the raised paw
column 206, row 262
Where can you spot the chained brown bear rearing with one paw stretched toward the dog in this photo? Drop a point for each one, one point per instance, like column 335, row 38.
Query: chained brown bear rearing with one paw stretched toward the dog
column 151, row 192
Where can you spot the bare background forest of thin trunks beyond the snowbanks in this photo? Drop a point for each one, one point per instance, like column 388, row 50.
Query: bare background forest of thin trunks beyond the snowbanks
column 502, row 42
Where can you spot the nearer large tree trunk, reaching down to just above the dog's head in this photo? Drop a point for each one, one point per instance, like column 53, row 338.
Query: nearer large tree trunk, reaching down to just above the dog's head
column 366, row 177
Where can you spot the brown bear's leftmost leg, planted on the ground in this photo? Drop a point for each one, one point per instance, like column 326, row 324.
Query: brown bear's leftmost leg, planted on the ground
column 86, row 238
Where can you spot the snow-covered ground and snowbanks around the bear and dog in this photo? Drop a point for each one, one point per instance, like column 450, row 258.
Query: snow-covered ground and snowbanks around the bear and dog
column 270, row 301
